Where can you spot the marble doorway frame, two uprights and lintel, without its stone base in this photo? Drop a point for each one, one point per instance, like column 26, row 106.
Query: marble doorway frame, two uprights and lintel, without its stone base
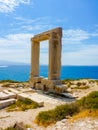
column 55, row 45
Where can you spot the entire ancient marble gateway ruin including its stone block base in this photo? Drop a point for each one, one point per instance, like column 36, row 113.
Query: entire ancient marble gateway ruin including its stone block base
column 53, row 82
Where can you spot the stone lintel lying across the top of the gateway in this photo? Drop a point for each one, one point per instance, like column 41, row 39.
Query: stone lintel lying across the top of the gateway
column 46, row 35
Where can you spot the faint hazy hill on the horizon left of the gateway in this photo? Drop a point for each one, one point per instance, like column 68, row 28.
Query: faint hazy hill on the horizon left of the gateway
column 7, row 63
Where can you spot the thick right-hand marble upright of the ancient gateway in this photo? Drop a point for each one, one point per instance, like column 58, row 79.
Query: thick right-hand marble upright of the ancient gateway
column 54, row 56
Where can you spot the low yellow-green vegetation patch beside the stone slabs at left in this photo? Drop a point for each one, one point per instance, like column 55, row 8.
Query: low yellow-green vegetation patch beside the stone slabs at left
column 22, row 105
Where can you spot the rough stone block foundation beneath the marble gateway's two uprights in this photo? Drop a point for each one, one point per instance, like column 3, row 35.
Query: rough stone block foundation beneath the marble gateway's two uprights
column 45, row 84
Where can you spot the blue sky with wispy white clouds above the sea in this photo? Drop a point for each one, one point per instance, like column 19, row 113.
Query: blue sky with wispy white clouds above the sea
column 22, row 19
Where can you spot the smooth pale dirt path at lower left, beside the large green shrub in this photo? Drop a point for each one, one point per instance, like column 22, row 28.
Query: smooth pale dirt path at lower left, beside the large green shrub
column 27, row 117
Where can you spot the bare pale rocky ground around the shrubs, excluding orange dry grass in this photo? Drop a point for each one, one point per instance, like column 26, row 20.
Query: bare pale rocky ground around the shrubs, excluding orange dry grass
column 77, row 89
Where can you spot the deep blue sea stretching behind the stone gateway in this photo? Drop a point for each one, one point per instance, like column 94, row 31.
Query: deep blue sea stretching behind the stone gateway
column 22, row 72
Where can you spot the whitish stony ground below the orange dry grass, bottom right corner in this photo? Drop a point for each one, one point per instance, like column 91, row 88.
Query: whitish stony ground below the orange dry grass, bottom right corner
column 81, row 124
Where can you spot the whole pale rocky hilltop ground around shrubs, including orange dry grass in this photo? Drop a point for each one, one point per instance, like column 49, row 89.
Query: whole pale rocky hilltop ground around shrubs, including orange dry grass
column 76, row 88
